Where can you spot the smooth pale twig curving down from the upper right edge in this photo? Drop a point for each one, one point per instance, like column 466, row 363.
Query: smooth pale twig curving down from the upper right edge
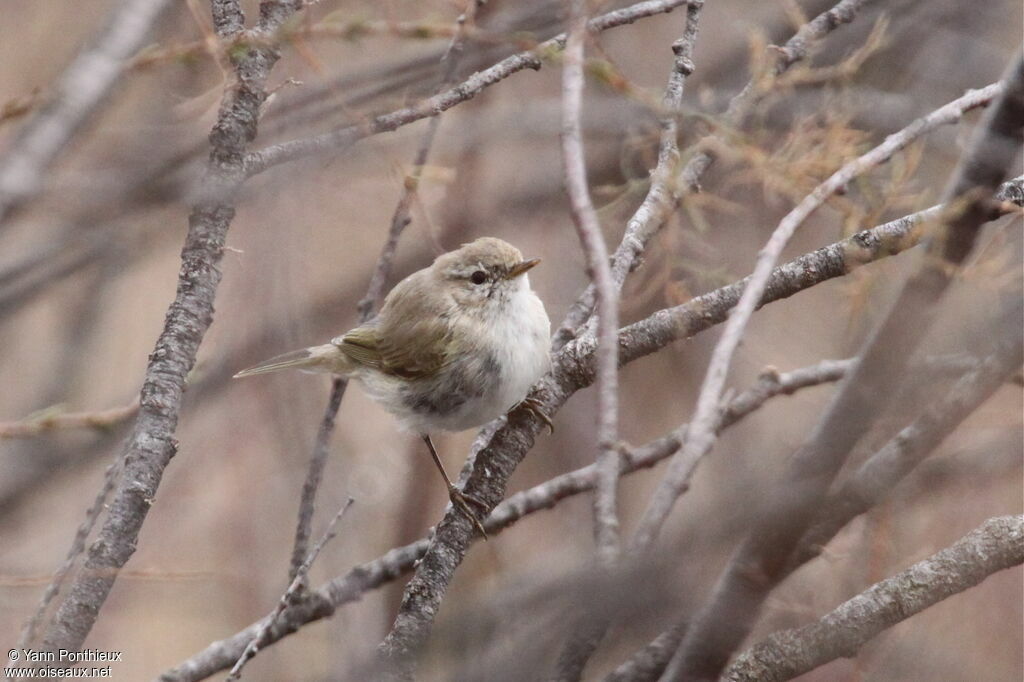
column 701, row 438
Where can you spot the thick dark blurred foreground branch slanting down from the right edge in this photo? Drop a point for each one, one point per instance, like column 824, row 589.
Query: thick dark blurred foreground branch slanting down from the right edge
column 727, row 620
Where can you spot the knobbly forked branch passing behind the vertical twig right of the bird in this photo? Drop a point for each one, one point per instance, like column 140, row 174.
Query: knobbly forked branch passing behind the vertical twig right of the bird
column 669, row 187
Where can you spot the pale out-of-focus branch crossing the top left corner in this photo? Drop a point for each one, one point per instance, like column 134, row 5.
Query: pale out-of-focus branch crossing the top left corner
column 79, row 92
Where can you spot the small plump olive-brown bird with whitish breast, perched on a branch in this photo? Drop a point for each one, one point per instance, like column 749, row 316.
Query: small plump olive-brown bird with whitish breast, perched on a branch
column 455, row 346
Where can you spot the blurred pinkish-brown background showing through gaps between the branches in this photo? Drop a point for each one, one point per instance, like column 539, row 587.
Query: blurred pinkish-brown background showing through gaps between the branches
column 89, row 269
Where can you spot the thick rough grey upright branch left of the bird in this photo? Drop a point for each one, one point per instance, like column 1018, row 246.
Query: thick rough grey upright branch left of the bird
column 151, row 447
